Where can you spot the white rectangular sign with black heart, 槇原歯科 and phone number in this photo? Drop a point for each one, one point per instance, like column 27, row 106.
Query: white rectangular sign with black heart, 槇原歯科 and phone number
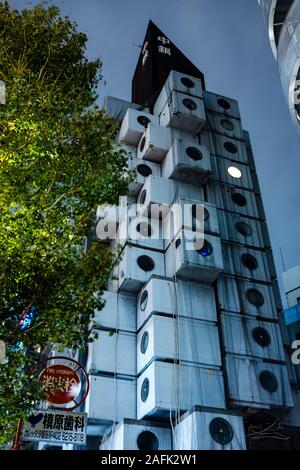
column 61, row 427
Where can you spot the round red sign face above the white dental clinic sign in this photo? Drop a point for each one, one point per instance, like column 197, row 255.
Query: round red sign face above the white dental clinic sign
column 60, row 383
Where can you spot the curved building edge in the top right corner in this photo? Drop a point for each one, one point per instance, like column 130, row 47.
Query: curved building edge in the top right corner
column 282, row 18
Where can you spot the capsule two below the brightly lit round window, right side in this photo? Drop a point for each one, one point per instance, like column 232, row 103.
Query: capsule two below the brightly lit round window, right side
column 240, row 229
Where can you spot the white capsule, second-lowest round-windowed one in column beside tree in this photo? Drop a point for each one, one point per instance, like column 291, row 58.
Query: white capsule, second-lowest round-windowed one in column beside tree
column 145, row 232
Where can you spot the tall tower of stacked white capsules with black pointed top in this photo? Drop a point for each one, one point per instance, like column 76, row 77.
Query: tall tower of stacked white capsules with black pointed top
column 192, row 352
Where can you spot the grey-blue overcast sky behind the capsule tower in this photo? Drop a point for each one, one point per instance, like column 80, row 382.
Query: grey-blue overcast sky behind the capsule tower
column 227, row 40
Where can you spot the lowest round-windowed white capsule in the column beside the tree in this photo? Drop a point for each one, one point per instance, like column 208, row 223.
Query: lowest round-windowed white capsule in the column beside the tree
column 136, row 267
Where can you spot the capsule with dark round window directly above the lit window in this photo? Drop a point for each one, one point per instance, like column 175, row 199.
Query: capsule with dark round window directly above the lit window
column 232, row 149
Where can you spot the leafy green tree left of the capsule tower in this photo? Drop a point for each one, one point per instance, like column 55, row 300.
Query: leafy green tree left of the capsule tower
column 58, row 162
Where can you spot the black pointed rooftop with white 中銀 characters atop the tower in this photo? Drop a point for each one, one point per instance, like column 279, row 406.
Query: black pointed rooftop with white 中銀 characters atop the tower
column 157, row 58
